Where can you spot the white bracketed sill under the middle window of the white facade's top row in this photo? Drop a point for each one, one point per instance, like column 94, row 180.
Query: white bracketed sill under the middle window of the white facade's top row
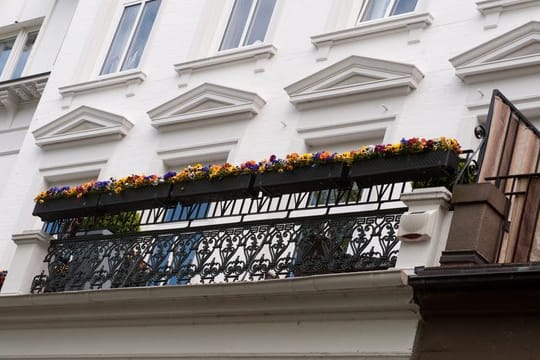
column 254, row 53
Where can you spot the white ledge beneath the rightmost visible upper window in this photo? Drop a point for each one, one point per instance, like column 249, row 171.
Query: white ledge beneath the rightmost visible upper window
column 404, row 22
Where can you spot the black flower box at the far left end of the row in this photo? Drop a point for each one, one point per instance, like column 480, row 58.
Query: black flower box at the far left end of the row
column 65, row 208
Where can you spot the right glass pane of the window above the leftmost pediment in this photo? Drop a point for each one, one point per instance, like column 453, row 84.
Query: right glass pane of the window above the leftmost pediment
column 140, row 38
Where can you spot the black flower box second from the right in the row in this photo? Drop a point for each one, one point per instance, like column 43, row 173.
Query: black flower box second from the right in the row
column 303, row 179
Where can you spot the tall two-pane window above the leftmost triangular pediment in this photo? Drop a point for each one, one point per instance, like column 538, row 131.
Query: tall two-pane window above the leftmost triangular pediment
column 131, row 36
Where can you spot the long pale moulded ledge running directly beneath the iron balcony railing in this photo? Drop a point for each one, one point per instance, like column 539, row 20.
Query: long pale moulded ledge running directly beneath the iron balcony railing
column 362, row 294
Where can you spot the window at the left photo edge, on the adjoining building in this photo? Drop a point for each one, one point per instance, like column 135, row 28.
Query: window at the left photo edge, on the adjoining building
column 14, row 52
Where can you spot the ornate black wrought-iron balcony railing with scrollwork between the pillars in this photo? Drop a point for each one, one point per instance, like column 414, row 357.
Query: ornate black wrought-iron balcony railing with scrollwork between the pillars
column 328, row 231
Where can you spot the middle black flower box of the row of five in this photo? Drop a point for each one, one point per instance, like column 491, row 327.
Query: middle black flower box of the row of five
column 201, row 191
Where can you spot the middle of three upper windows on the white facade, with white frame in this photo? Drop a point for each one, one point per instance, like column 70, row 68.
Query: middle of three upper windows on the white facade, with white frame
column 248, row 23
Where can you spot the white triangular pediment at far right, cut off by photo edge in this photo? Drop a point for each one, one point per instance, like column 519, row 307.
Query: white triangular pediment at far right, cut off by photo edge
column 514, row 53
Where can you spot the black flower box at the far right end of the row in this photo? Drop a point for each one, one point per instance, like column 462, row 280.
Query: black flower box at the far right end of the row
column 400, row 168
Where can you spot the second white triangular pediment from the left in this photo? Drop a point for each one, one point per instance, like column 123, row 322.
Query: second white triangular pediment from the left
column 206, row 102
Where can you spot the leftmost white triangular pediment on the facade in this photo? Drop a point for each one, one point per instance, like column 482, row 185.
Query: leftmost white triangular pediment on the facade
column 84, row 124
